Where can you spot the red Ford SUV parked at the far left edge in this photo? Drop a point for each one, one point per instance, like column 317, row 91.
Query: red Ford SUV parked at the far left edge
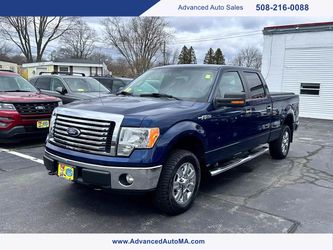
column 24, row 112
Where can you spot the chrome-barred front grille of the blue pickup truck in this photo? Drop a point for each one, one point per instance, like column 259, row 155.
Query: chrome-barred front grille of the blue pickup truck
column 93, row 136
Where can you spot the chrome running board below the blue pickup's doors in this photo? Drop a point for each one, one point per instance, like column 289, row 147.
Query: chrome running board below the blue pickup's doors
column 236, row 162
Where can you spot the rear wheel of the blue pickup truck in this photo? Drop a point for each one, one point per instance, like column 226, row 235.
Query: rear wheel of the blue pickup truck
column 279, row 148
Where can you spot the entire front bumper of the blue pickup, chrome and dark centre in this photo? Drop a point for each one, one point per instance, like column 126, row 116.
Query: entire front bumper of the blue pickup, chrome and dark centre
column 145, row 178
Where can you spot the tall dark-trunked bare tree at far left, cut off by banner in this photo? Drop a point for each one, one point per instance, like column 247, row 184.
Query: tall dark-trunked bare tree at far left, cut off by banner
column 34, row 33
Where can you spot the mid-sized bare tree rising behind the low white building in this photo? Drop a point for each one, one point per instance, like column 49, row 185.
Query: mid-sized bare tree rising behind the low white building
column 79, row 43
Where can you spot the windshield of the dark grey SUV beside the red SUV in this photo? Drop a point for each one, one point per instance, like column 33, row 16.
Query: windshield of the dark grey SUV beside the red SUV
column 85, row 84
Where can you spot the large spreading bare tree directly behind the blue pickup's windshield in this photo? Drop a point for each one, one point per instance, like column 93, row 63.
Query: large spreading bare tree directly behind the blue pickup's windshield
column 138, row 40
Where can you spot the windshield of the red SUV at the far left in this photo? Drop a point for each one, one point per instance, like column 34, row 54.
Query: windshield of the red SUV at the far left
column 15, row 83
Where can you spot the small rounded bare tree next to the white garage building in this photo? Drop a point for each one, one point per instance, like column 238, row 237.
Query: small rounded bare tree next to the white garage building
column 248, row 57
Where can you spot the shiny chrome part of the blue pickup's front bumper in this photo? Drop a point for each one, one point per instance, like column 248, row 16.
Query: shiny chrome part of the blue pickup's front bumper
column 145, row 178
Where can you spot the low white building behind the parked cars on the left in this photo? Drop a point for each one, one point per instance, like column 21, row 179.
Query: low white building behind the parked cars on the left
column 88, row 67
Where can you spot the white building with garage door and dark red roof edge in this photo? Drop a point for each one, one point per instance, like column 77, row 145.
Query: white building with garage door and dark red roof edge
column 299, row 59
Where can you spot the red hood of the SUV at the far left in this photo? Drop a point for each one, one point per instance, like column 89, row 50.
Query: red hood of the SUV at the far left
column 26, row 97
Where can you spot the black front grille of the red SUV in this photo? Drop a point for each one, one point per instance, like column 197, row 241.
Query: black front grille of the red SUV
column 35, row 108
